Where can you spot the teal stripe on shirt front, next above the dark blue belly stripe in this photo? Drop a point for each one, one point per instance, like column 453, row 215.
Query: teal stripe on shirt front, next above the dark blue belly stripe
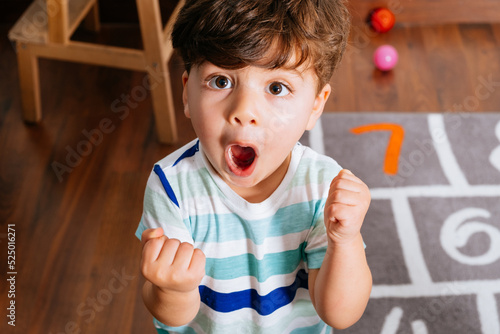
column 247, row 265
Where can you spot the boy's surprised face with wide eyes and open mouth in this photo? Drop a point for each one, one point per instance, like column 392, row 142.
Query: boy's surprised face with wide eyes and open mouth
column 248, row 120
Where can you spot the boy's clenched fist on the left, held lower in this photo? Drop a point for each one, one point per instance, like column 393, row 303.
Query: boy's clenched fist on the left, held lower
column 170, row 264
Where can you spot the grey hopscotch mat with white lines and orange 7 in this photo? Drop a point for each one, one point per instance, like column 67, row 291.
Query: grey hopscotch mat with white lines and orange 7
column 433, row 228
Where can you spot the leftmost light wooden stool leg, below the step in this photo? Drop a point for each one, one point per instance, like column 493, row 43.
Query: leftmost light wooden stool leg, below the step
column 29, row 80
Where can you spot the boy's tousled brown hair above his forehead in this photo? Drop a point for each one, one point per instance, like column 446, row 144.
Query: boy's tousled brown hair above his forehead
column 233, row 34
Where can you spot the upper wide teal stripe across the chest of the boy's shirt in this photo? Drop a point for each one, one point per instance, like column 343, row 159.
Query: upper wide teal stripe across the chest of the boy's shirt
column 229, row 227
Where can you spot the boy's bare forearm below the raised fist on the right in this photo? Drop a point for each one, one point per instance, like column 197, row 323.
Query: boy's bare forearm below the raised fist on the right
column 343, row 284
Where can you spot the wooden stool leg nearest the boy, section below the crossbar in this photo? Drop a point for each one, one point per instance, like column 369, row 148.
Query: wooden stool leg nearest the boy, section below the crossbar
column 163, row 106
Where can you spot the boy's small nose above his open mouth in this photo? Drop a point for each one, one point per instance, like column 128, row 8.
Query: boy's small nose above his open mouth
column 244, row 108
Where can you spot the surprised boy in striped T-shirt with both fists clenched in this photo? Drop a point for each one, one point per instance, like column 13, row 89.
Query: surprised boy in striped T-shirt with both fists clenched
column 244, row 230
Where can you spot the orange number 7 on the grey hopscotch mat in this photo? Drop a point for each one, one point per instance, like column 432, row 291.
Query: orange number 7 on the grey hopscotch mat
column 394, row 146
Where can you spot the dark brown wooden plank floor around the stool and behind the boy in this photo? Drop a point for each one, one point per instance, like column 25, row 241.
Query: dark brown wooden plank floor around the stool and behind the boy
column 75, row 214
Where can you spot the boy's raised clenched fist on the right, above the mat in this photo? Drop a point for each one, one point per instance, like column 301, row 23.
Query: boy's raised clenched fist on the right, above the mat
column 346, row 206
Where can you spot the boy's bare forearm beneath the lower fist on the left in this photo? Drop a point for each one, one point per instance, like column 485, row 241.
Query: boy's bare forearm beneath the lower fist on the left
column 171, row 308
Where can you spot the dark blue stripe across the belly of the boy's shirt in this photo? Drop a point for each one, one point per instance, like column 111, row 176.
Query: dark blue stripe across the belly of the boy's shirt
column 264, row 305
